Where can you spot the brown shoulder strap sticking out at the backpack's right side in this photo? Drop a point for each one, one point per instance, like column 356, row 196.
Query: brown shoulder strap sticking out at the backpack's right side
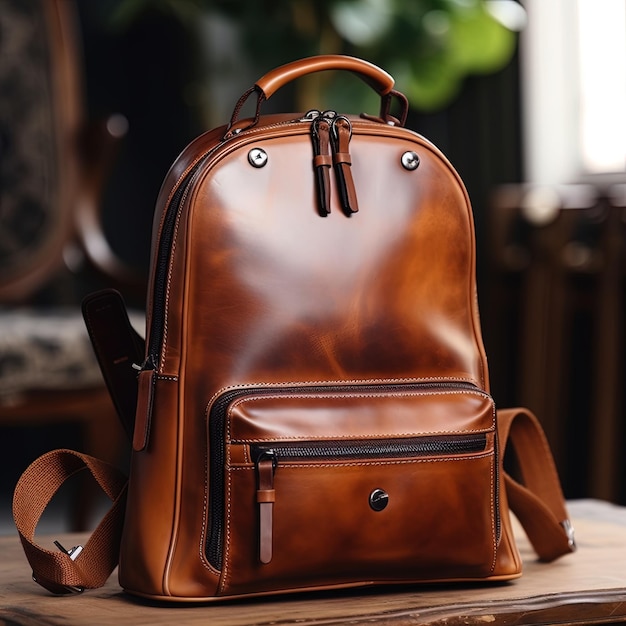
column 538, row 500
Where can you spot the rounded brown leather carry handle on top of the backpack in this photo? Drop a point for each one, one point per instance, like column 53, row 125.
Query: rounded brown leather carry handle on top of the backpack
column 270, row 83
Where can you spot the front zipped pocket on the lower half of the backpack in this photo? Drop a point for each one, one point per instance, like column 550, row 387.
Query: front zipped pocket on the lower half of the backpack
column 345, row 483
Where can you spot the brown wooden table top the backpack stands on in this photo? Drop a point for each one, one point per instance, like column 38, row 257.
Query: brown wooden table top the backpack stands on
column 588, row 587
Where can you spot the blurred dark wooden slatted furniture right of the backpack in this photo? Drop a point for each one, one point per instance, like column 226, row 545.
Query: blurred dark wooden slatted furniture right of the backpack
column 557, row 323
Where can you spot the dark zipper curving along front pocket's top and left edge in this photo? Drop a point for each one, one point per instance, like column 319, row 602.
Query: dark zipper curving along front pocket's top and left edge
column 216, row 432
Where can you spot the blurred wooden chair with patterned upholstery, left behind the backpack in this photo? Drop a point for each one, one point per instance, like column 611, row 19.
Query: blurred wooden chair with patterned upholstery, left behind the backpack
column 53, row 167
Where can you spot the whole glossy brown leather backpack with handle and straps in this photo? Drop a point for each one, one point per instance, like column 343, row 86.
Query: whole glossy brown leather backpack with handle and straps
column 313, row 406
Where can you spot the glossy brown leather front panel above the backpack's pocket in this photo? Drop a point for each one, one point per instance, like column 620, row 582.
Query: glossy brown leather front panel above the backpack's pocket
column 376, row 295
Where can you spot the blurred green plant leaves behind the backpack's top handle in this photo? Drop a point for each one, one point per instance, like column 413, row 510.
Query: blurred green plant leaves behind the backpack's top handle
column 429, row 46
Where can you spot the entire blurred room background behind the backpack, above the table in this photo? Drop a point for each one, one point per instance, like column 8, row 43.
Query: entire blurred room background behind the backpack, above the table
column 526, row 99
